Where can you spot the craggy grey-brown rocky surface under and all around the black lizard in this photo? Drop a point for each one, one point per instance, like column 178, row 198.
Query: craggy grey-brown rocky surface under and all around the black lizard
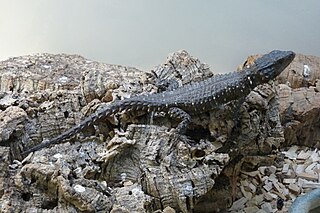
column 134, row 163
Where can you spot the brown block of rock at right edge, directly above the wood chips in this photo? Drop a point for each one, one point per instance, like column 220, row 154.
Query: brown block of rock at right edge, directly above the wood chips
column 300, row 114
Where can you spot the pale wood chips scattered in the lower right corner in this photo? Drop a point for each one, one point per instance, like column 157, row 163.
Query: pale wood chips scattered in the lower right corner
column 273, row 187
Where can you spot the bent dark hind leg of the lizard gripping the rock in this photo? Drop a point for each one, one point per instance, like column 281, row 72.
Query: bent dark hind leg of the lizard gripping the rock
column 179, row 114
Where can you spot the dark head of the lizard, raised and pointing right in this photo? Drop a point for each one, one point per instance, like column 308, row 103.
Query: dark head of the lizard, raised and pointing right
column 272, row 64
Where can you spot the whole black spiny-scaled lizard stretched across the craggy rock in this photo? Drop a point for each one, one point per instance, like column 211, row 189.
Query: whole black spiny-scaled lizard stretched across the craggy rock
column 192, row 98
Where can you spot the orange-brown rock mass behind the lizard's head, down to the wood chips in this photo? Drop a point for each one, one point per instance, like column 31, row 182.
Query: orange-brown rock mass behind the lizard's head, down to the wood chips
column 299, row 100
